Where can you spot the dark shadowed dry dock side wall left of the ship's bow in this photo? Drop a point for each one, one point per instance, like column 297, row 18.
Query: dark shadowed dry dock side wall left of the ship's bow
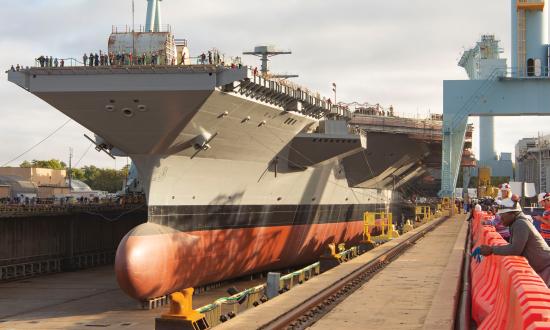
column 31, row 245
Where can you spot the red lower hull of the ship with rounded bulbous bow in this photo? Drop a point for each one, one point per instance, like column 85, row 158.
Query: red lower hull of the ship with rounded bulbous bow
column 154, row 260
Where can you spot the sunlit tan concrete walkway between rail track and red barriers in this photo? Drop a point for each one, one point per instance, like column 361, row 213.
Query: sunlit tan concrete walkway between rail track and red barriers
column 416, row 291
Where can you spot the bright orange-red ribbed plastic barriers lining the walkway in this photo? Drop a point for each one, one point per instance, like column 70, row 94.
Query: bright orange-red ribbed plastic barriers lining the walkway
column 506, row 291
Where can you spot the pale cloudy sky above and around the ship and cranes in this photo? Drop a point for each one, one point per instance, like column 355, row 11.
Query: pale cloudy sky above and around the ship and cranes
column 389, row 52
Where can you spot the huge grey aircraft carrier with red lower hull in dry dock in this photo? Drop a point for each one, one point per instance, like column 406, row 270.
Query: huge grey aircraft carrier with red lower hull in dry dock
column 243, row 171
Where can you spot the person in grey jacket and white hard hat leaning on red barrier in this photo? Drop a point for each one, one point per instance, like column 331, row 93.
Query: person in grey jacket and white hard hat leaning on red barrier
column 525, row 240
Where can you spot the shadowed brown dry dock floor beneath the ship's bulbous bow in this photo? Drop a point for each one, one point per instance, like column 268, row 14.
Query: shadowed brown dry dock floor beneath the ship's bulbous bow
column 82, row 300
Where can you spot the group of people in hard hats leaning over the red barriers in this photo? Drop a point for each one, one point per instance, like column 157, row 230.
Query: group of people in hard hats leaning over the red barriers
column 528, row 235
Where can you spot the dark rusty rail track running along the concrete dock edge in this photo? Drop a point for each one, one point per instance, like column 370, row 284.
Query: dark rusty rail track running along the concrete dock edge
column 311, row 310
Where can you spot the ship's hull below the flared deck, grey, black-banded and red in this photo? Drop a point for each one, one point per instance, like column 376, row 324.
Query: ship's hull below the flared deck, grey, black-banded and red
column 214, row 219
